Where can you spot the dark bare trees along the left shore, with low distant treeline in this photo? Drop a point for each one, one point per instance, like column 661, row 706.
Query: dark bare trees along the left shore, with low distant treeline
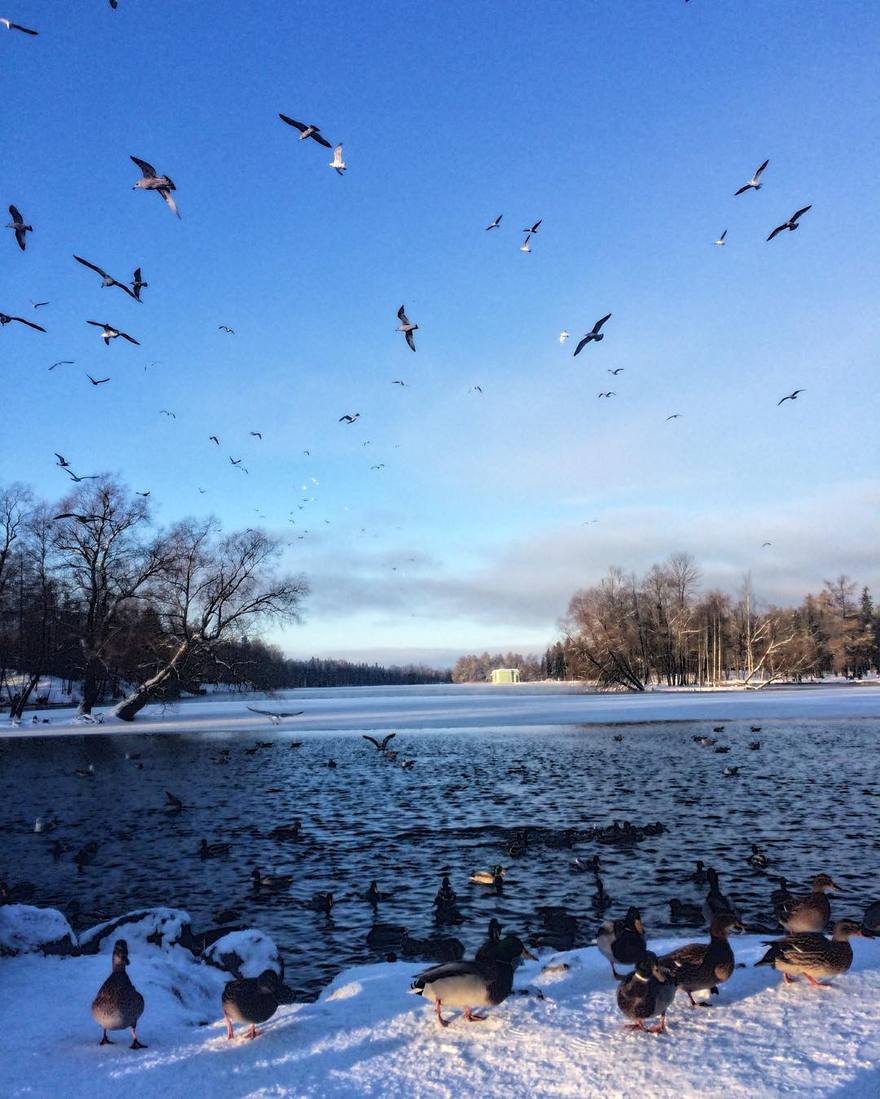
column 93, row 593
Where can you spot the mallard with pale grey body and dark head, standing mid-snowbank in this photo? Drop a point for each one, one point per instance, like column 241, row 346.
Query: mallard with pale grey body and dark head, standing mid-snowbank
column 469, row 985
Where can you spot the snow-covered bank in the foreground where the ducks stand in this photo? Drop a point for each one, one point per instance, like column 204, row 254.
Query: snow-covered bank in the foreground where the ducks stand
column 369, row 1036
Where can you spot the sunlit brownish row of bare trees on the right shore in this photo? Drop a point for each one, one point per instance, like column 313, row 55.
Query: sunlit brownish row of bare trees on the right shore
column 663, row 629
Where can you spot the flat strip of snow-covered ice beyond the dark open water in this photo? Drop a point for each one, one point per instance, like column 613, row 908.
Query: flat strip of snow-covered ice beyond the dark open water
column 467, row 707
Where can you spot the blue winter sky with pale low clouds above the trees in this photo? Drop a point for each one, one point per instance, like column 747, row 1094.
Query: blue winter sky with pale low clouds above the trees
column 627, row 127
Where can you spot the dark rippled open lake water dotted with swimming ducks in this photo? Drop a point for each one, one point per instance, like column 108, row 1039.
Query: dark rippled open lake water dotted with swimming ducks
column 810, row 798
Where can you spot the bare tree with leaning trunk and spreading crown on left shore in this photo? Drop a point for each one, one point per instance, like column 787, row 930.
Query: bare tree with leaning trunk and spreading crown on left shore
column 211, row 591
